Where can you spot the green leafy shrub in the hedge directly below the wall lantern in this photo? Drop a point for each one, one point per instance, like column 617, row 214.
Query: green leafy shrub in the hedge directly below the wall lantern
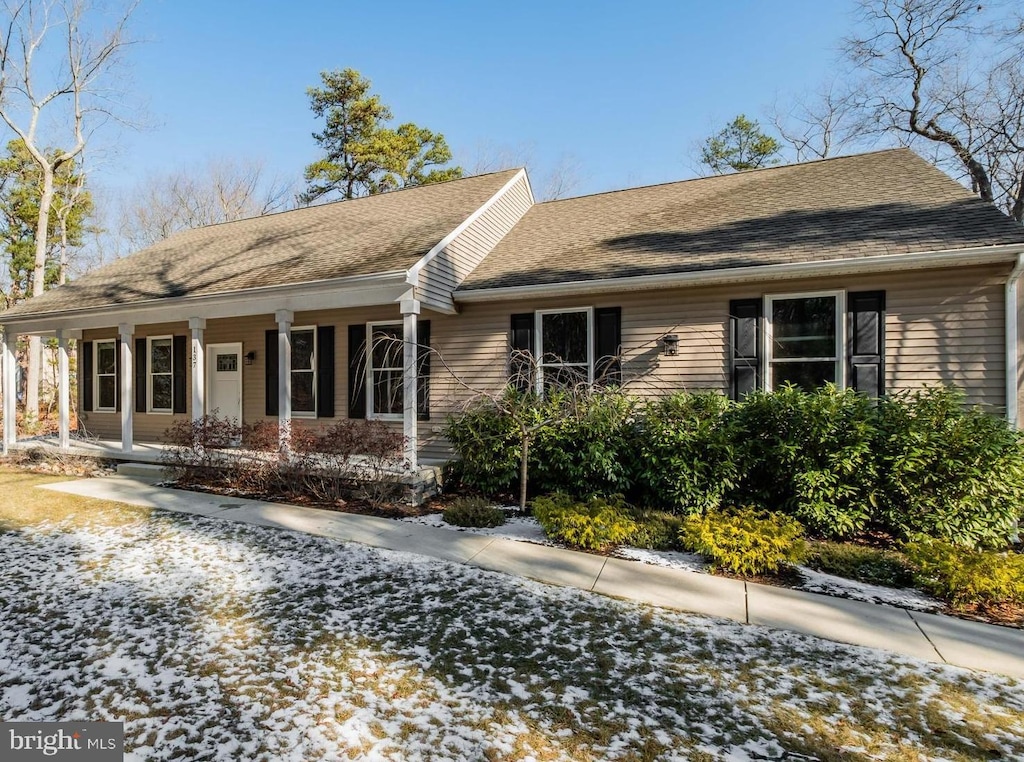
column 681, row 457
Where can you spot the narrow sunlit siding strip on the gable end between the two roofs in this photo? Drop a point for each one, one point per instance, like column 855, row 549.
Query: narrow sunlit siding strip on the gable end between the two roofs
column 443, row 274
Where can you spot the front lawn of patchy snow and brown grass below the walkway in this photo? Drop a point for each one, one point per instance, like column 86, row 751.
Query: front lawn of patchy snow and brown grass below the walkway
column 221, row 642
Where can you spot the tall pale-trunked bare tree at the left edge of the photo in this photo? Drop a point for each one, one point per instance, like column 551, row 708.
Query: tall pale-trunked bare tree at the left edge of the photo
column 54, row 71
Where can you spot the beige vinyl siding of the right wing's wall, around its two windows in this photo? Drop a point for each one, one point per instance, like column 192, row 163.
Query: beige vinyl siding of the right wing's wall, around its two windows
column 943, row 326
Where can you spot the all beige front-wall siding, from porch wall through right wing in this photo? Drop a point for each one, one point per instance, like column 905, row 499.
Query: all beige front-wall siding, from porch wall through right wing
column 943, row 326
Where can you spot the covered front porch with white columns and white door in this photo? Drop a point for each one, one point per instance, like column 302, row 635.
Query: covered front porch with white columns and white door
column 212, row 323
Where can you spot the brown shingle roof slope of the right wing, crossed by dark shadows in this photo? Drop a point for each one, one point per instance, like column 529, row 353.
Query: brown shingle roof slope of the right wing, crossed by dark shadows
column 889, row 202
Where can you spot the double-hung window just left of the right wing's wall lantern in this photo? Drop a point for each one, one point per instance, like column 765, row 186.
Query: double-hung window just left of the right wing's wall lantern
column 566, row 351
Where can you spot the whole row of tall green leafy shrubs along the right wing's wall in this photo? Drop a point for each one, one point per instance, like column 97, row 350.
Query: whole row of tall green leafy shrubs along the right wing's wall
column 913, row 464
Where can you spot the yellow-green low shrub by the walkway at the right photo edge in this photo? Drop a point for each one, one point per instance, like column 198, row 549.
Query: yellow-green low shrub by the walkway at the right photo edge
column 965, row 577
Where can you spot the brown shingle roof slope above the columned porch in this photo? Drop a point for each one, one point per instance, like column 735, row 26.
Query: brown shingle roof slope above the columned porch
column 377, row 234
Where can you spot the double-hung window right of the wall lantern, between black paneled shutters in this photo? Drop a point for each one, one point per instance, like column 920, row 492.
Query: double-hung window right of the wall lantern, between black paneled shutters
column 805, row 338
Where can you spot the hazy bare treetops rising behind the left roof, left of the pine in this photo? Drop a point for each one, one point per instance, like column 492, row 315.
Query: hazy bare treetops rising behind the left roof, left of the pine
column 222, row 191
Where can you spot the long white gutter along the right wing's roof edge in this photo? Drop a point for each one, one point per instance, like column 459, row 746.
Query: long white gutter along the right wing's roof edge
column 884, row 263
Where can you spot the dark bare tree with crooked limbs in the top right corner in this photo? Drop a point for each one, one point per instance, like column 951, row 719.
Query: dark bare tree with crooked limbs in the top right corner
column 942, row 71
